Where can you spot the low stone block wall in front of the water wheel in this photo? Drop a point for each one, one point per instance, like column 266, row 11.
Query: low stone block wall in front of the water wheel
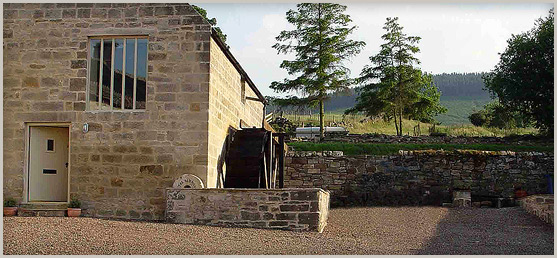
column 291, row 209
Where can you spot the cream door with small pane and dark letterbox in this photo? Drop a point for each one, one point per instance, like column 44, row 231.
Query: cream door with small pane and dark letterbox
column 48, row 163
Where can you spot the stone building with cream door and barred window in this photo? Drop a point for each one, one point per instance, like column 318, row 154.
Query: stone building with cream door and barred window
column 116, row 135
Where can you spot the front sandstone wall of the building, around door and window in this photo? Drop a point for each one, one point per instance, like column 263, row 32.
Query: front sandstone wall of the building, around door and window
column 121, row 167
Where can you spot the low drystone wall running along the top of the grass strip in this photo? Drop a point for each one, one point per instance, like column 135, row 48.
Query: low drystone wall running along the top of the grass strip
column 383, row 138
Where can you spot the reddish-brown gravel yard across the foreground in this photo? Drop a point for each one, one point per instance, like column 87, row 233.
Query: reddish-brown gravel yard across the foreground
column 377, row 230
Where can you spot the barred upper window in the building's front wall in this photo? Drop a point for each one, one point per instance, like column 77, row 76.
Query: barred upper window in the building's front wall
column 117, row 73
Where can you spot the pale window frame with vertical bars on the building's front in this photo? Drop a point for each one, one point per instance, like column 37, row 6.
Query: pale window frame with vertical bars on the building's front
column 88, row 88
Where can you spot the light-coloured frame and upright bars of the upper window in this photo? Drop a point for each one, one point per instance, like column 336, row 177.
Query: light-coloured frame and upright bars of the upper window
column 88, row 79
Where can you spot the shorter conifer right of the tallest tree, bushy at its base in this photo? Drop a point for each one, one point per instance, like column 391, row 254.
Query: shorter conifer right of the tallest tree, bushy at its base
column 401, row 90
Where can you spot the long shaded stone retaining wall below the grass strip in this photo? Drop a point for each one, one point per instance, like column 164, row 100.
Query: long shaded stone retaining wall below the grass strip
column 417, row 178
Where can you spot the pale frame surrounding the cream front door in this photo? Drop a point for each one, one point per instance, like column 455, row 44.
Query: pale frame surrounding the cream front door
column 26, row 158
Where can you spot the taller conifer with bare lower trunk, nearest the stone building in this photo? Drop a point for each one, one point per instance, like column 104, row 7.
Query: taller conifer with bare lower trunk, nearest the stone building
column 320, row 42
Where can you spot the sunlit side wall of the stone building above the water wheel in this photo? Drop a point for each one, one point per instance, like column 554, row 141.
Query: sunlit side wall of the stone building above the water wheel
column 226, row 109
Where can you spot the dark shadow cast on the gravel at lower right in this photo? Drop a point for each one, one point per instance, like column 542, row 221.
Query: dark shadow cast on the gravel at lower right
column 488, row 231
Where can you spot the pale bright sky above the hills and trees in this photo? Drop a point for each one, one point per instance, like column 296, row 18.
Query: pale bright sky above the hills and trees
column 455, row 37
